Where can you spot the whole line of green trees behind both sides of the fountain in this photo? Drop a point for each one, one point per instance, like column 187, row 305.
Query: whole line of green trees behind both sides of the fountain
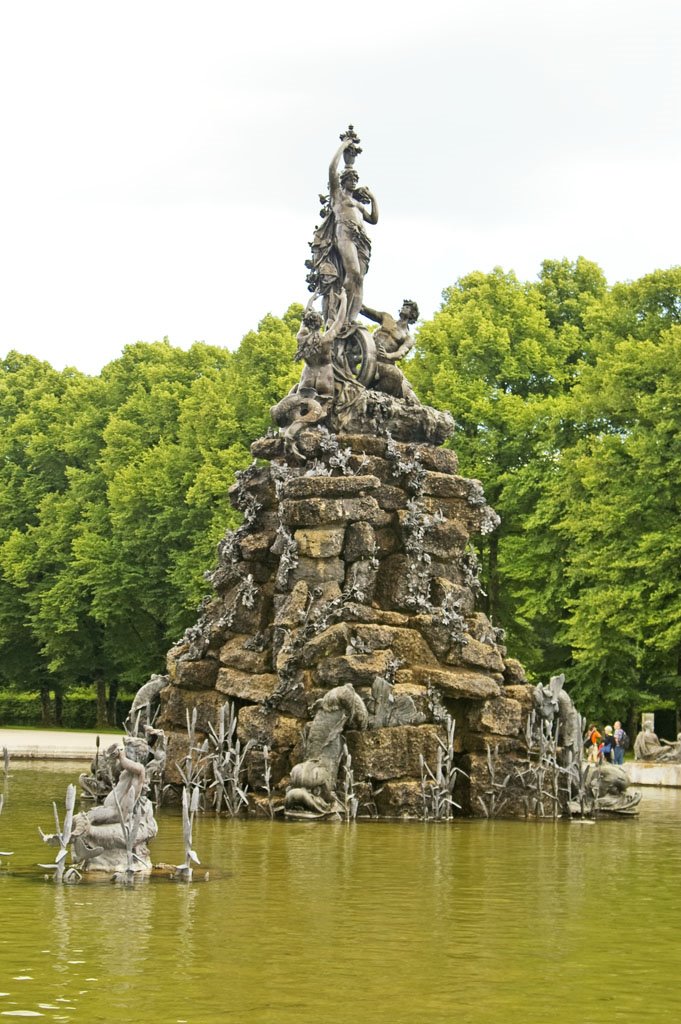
column 567, row 397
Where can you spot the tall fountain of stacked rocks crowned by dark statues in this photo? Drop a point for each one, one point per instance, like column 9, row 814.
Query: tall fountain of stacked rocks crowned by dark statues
column 344, row 622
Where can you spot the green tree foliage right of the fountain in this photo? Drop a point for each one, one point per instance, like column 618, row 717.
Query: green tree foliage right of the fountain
column 567, row 398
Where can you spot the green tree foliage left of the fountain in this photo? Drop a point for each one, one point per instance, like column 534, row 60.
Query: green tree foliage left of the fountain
column 114, row 495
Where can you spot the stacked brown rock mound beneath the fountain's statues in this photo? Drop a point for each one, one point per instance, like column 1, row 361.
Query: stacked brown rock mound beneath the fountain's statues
column 353, row 565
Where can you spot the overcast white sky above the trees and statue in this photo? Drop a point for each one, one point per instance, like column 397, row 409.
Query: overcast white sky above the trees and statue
column 162, row 161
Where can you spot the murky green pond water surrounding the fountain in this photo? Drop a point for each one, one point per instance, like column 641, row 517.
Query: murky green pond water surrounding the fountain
column 473, row 922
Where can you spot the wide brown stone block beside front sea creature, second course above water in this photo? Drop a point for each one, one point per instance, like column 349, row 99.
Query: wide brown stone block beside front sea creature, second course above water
column 394, row 753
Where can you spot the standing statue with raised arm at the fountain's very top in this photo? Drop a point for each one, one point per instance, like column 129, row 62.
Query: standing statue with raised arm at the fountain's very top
column 342, row 248
